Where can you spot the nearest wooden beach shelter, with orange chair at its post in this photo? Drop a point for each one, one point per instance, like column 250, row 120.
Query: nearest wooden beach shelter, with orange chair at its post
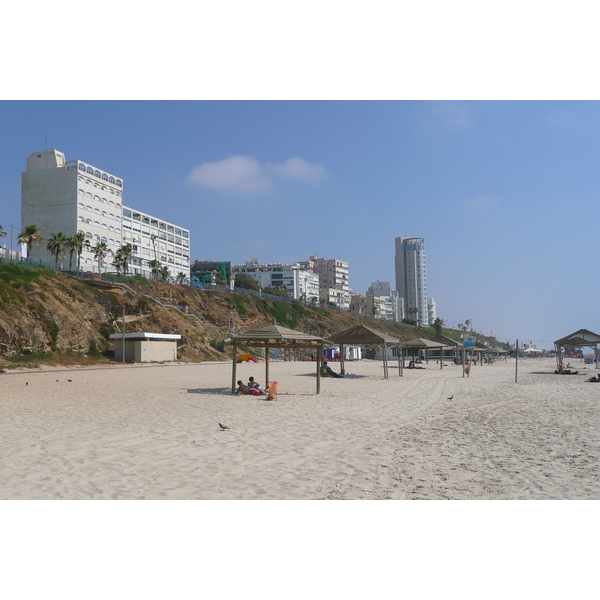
column 275, row 336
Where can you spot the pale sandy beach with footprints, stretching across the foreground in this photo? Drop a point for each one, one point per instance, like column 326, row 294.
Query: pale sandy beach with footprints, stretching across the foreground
column 151, row 432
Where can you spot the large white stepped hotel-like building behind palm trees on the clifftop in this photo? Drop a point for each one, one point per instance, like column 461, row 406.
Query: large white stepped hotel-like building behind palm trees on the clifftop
column 73, row 196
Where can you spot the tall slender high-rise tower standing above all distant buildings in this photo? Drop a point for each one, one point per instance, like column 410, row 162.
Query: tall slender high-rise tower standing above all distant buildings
column 411, row 279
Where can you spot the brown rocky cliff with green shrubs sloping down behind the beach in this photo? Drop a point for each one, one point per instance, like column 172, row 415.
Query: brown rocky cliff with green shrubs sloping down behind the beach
column 42, row 311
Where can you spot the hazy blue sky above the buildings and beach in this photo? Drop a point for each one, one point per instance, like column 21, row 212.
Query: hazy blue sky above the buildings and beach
column 504, row 193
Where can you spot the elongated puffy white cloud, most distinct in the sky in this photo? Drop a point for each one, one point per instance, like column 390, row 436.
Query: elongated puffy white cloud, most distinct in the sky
column 246, row 174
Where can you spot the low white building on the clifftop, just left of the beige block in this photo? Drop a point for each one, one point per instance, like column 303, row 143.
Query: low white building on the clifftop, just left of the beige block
column 300, row 284
